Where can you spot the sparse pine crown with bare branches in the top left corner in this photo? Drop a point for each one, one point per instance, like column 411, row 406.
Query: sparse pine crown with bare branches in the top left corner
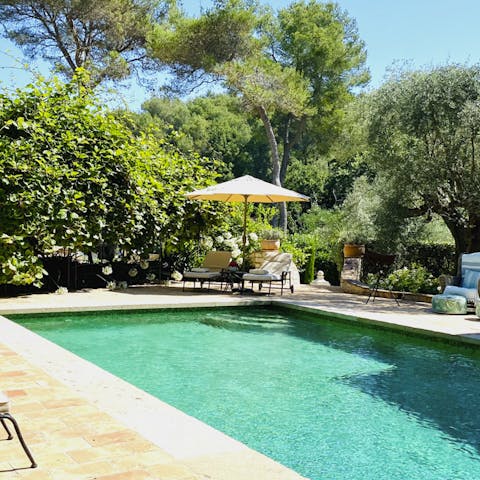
column 107, row 37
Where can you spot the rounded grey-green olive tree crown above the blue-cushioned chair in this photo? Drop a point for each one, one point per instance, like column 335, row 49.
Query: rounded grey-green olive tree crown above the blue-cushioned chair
column 424, row 143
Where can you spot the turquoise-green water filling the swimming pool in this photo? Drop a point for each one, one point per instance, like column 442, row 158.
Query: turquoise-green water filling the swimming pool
column 330, row 400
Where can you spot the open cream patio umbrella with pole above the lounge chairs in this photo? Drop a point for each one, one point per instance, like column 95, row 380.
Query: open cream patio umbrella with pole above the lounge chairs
column 247, row 189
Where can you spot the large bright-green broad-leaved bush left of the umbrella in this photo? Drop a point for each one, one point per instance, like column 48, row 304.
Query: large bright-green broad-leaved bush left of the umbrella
column 72, row 178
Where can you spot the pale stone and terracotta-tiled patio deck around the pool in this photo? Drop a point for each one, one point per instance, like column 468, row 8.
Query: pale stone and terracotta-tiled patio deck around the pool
column 83, row 423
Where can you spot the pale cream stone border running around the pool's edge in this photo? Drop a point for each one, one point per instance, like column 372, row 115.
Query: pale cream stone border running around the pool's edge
column 204, row 450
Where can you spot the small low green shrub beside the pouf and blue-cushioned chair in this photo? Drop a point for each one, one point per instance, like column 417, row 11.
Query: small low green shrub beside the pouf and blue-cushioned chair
column 415, row 279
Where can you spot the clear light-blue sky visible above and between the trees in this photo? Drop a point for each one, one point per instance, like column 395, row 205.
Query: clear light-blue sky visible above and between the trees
column 420, row 32
